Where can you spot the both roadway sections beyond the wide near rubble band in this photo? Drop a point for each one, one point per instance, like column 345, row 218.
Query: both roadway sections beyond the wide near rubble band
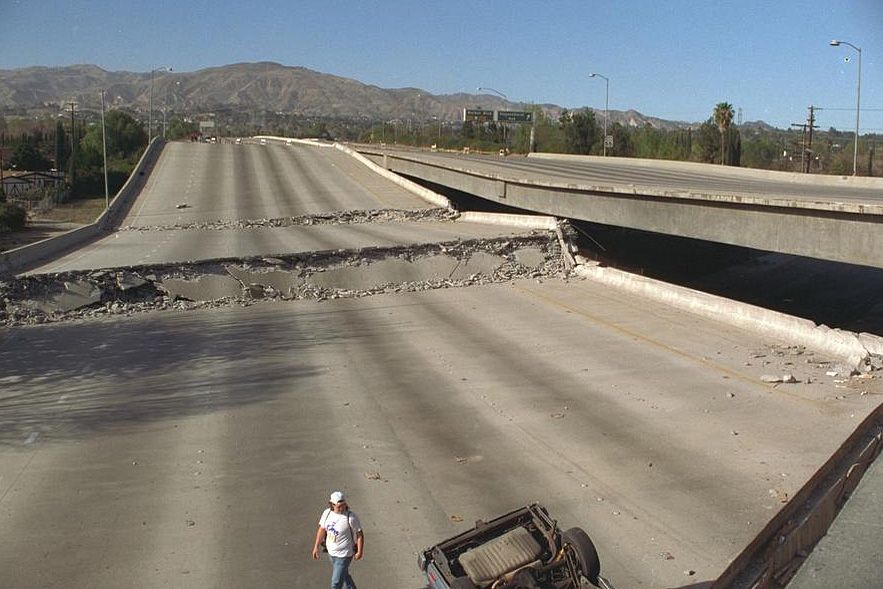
column 229, row 182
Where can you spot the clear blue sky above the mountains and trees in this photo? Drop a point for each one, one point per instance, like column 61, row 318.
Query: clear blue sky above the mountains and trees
column 673, row 59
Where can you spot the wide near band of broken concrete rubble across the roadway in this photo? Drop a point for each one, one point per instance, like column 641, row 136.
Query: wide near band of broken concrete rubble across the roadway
column 80, row 295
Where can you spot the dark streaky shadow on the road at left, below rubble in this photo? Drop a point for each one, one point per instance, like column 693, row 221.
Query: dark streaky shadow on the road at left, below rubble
column 68, row 381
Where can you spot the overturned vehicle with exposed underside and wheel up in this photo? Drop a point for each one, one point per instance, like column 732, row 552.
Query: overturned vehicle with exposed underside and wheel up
column 523, row 549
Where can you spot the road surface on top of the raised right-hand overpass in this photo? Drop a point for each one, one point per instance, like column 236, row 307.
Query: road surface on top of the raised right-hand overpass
column 655, row 176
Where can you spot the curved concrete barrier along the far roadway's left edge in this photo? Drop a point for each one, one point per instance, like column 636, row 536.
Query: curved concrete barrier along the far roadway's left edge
column 32, row 255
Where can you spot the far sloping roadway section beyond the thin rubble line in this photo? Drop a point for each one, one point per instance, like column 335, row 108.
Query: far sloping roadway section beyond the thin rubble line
column 230, row 182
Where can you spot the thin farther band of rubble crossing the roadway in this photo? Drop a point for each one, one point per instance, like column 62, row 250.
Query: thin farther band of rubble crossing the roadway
column 329, row 218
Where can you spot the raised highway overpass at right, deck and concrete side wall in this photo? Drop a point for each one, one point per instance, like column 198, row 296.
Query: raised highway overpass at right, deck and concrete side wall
column 830, row 218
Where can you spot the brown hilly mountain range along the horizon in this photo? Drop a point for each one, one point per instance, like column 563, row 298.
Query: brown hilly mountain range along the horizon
column 263, row 86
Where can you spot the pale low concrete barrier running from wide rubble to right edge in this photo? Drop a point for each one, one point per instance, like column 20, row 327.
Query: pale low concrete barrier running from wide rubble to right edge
column 846, row 346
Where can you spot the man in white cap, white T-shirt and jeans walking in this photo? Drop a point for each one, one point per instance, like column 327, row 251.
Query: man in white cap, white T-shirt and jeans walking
column 341, row 533
